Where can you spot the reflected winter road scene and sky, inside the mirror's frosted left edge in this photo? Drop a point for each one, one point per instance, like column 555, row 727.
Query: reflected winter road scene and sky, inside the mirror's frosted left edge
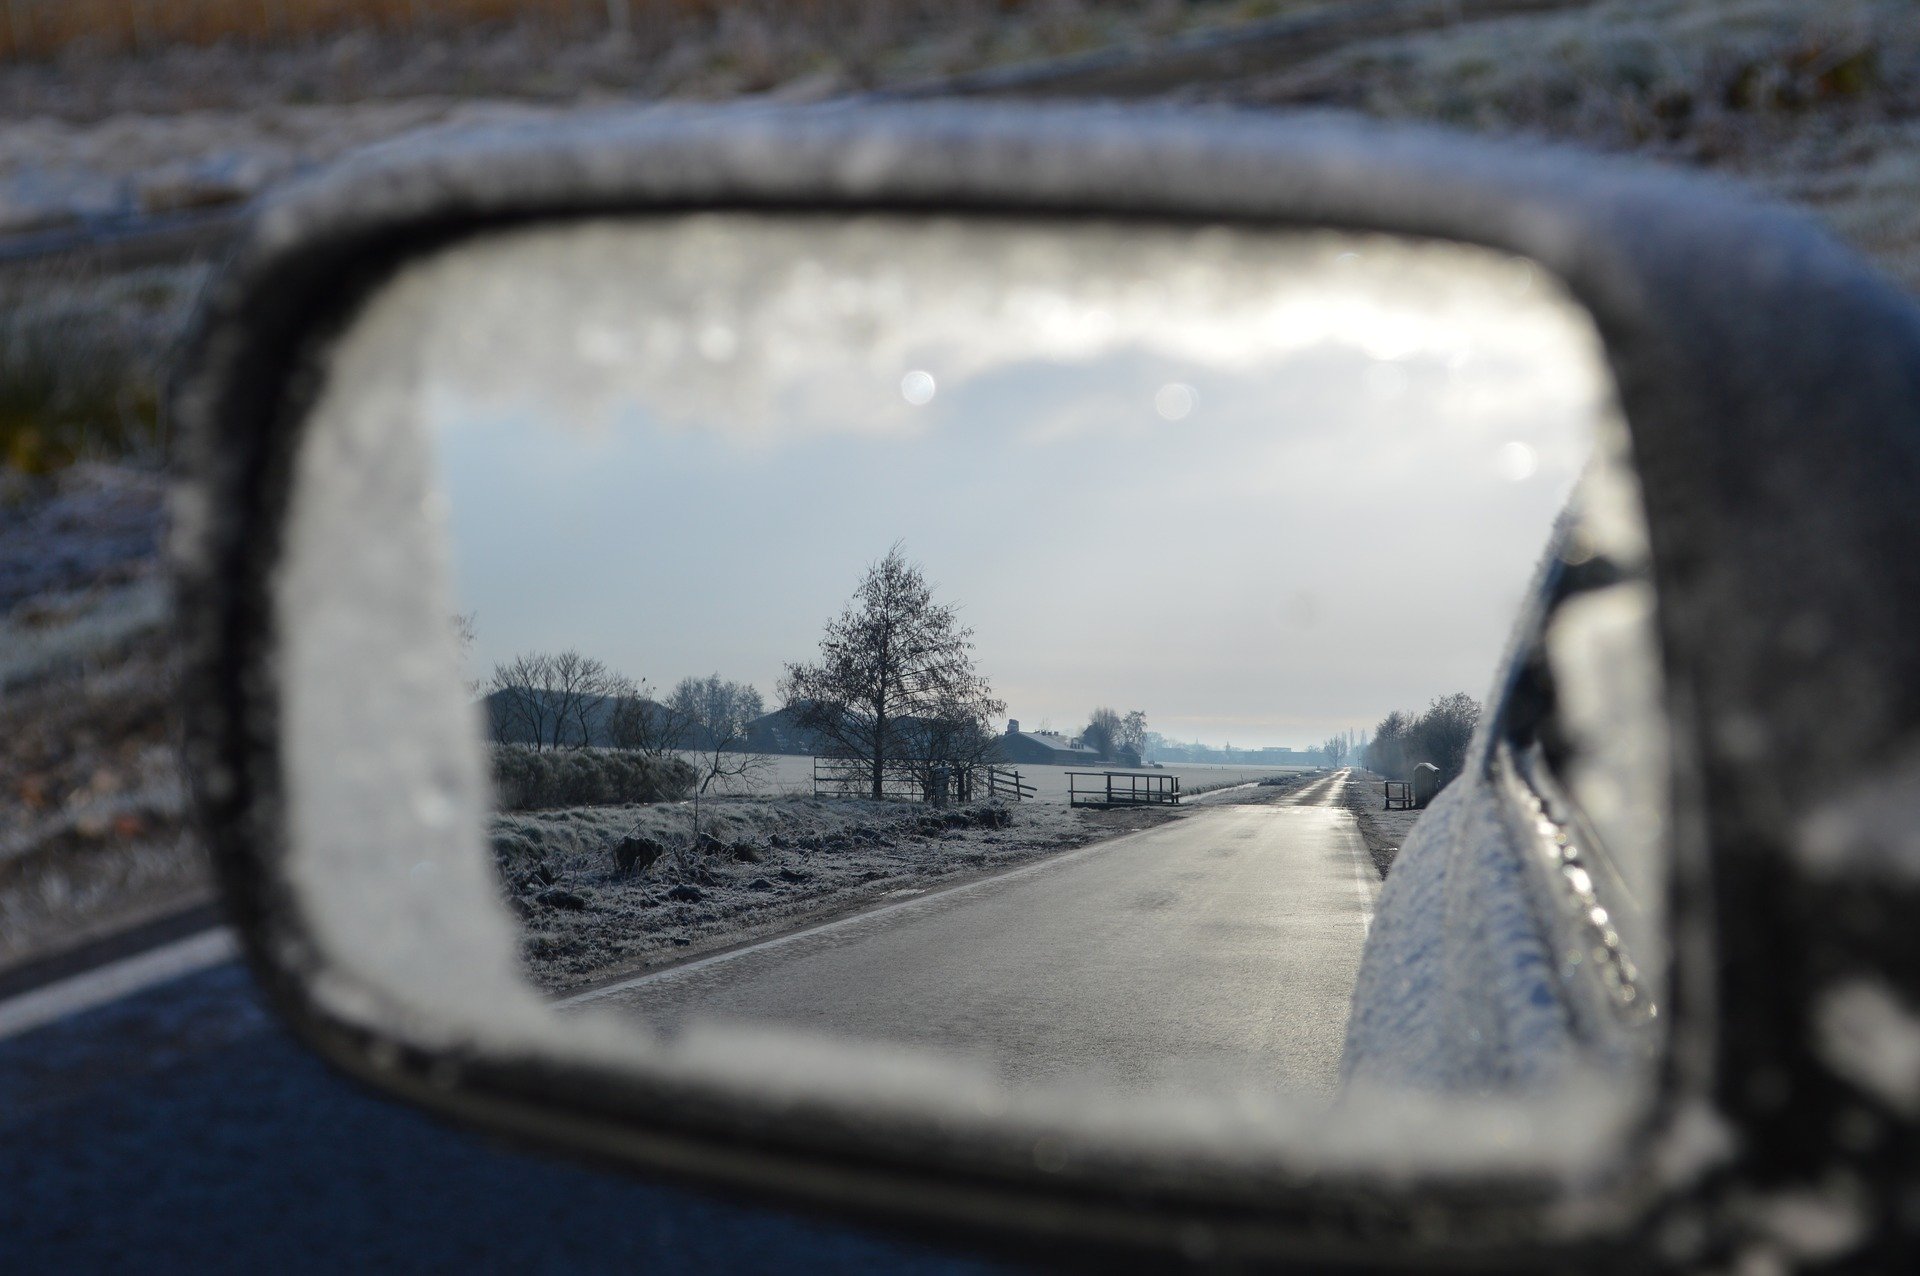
column 1036, row 644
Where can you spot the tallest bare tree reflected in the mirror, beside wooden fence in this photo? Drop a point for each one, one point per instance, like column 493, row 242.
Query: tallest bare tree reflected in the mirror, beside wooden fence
column 892, row 659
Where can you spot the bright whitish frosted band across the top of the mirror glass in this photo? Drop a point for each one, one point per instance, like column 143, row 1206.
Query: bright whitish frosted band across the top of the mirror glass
column 773, row 329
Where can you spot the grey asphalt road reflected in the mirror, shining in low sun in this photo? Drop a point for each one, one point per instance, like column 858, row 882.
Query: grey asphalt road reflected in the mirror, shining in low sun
column 1220, row 947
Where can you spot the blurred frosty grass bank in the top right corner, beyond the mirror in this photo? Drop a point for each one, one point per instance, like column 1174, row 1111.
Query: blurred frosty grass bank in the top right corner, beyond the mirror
column 1813, row 103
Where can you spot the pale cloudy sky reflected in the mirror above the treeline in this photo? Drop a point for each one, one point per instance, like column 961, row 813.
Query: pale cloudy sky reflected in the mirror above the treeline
column 1260, row 486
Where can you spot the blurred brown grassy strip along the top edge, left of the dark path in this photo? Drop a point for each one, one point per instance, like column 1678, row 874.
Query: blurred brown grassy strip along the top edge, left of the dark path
column 228, row 53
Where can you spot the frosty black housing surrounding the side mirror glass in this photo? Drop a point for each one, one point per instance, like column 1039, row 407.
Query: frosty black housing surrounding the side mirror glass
column 1773, row 390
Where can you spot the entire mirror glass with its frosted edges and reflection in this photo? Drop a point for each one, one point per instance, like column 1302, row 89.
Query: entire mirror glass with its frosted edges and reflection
column 1255, row 486
